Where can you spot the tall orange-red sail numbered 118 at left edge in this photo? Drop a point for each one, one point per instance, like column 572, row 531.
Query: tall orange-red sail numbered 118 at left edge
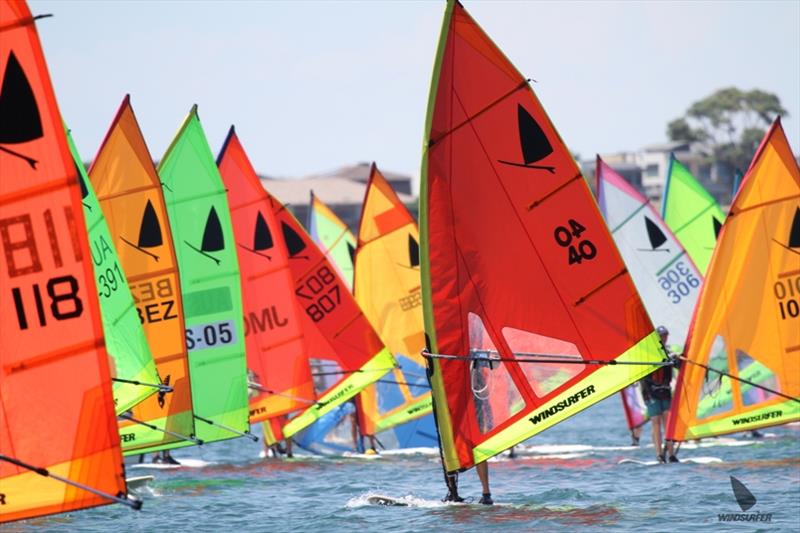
column 56, row 406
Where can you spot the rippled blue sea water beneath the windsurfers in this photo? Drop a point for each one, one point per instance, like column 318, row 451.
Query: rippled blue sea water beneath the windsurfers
column 569, row 479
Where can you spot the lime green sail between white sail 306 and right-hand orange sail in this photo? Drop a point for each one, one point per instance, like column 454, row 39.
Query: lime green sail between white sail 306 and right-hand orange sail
column 693, row 215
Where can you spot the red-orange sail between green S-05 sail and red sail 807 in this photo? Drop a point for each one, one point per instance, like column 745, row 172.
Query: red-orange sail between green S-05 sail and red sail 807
column 276, row 351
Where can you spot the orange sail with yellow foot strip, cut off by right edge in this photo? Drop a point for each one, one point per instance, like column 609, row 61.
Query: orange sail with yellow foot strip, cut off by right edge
column 741, row 370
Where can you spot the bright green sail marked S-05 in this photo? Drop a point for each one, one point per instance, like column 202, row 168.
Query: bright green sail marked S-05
column 210, row 284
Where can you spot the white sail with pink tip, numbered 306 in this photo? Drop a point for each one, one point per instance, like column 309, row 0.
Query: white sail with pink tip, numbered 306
column 664, row 274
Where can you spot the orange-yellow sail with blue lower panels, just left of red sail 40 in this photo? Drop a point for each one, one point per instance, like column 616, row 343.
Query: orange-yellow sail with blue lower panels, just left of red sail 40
column 387, row 288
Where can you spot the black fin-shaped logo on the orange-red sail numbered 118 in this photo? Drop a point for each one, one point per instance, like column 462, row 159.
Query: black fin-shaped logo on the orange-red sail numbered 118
column 19, row 115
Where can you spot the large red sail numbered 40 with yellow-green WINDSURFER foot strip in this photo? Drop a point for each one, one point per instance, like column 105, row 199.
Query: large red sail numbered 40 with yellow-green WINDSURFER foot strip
column 526, row 299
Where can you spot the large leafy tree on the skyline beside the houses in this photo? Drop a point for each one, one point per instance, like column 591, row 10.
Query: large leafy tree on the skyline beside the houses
column 730, row 122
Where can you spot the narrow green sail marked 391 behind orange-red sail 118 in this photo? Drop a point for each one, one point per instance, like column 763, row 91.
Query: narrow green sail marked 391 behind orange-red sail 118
column 130, row 356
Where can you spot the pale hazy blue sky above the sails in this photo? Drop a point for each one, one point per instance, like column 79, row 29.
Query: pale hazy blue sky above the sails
column 312, row 86
